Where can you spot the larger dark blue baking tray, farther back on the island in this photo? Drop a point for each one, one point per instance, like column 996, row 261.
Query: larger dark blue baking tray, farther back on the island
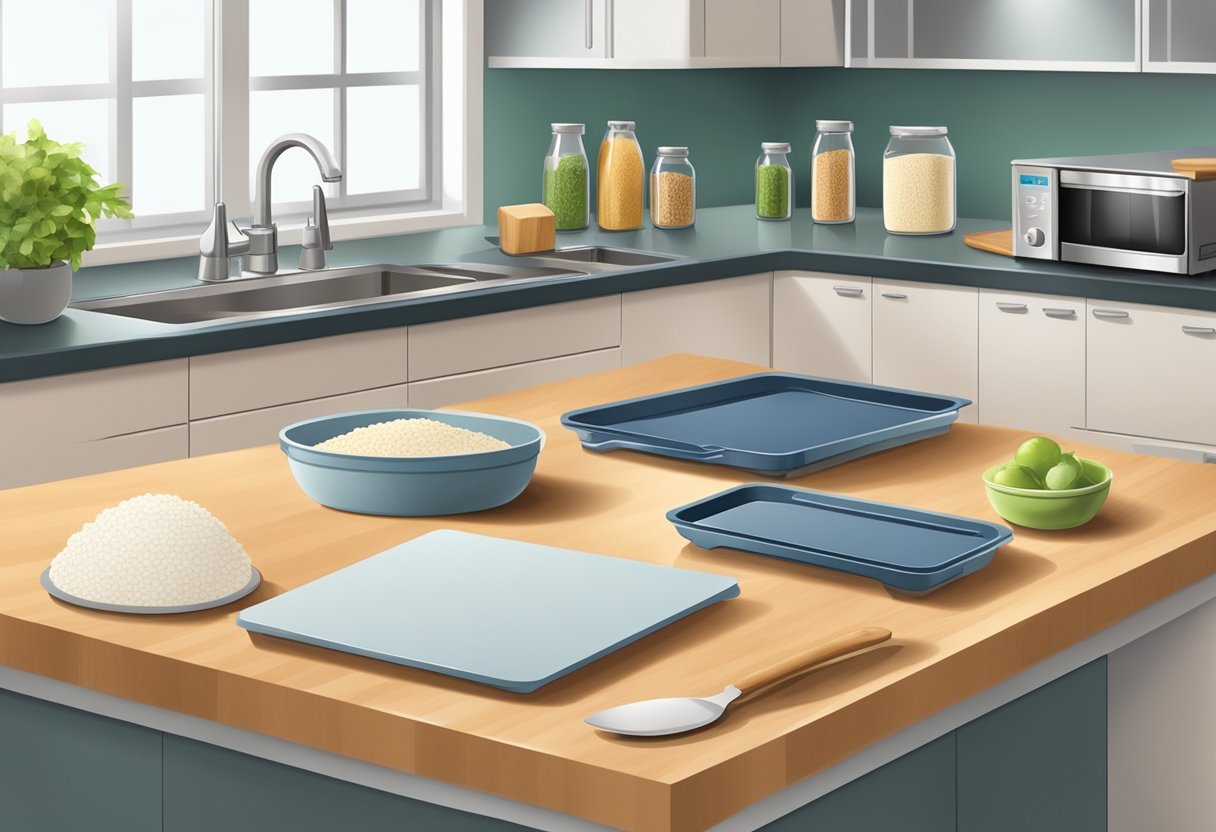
column 774, row 424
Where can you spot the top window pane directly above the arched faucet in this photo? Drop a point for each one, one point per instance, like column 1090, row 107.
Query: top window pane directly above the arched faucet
column 291, row 37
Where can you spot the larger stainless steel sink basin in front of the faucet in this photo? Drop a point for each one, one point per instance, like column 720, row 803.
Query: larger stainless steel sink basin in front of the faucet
column 264, row 297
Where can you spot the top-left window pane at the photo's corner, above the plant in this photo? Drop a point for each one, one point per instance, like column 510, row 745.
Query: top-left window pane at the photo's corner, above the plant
column 52, row 44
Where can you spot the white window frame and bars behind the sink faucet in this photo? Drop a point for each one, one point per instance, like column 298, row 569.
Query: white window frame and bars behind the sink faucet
column 455, row 140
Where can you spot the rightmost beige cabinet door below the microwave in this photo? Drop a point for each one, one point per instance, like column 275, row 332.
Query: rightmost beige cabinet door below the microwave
column 1150, row 372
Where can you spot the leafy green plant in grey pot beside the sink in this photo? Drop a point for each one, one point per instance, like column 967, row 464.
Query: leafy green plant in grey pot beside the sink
column 49, row 203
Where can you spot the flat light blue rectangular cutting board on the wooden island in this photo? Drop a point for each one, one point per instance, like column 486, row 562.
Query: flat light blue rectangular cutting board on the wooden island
column 500, row 612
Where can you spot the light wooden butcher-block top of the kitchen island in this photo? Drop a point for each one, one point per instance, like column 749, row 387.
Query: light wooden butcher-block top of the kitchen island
column 1043, row 594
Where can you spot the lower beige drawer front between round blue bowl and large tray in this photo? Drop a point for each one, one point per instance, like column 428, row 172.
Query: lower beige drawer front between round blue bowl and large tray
column 468, row 387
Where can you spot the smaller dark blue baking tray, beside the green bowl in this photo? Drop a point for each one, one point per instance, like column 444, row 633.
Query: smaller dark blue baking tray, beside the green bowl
column 908, row 549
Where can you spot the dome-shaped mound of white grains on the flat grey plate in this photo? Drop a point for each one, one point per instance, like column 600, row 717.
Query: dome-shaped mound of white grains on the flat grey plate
column 155, row 550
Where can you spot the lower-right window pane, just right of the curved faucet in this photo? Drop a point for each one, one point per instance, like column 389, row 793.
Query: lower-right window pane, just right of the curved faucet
column 384, row 139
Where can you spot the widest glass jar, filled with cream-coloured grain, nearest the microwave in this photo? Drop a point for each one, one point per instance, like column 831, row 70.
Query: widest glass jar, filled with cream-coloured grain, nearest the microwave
column 919, row 182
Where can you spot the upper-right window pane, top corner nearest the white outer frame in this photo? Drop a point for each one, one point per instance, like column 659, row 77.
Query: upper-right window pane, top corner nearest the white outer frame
column 382, row 36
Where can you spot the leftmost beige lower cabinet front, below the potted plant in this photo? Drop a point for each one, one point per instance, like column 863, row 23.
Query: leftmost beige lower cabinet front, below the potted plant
column 87, row 423
